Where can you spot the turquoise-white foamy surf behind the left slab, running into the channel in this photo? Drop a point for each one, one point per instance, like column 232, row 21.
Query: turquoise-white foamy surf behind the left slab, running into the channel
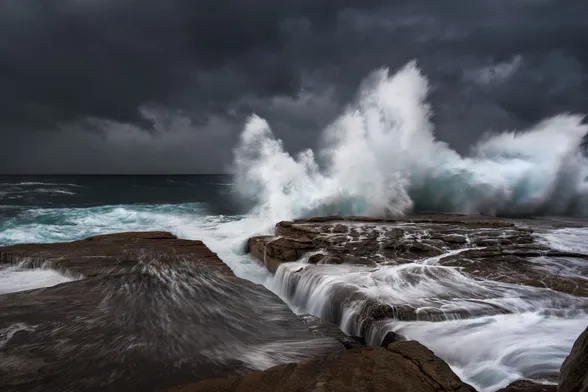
column 225, row 235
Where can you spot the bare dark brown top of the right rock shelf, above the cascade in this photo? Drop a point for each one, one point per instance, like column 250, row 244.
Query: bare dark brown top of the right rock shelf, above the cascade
column 485, row 247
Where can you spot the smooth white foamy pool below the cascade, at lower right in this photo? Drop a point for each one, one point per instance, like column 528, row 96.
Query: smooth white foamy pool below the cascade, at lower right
column 491, row 352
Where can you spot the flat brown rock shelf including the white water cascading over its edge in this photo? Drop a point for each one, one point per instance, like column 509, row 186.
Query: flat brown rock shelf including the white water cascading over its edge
column 428, row 267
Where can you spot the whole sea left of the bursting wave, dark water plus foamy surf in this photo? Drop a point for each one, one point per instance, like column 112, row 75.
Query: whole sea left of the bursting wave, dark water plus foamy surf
column 65, row 208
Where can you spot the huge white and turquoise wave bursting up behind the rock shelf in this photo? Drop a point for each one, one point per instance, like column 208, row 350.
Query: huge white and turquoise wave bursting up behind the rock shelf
column 381, row 158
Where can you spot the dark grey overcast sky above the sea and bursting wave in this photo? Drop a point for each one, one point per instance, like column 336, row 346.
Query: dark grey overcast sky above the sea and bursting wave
column 164, row 86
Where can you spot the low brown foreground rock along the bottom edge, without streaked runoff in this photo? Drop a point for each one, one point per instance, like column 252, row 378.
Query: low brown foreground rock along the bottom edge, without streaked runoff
column 403, row 367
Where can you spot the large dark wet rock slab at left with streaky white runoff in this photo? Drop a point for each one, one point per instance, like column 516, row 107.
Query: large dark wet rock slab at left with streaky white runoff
column 145, row 311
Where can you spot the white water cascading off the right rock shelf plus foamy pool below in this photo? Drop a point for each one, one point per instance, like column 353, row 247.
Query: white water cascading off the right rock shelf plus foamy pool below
column 491, row 333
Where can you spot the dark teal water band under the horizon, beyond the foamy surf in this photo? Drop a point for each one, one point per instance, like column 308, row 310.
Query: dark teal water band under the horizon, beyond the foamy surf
column 18, row 193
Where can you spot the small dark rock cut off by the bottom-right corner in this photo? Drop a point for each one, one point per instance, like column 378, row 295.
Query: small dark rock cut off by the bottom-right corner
column 574, row 370
